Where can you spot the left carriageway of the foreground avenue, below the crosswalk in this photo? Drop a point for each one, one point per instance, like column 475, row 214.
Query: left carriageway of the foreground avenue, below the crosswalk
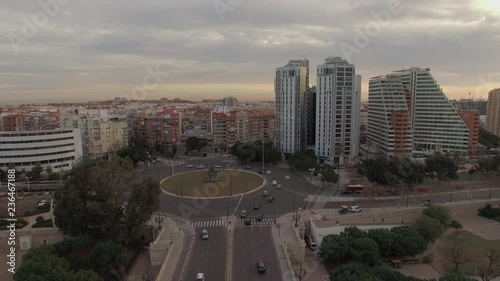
column 208, row 256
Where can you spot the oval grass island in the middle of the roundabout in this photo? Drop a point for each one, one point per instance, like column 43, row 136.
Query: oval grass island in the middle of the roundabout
column 193, row 183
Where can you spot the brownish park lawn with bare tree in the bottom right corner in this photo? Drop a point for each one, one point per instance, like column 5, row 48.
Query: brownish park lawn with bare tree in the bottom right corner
column 472, row 246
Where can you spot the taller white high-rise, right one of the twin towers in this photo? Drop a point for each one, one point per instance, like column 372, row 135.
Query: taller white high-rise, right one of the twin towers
column 338, row 102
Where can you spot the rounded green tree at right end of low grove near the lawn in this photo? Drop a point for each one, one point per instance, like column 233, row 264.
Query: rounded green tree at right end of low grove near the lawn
column 408, row 242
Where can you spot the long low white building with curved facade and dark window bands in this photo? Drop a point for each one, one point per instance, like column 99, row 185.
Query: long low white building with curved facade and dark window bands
column 59, row 148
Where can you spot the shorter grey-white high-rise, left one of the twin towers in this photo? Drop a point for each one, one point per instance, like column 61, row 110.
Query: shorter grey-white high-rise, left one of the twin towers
column 291, row 87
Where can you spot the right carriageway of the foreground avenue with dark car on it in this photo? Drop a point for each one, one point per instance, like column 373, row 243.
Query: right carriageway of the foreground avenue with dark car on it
column 253, row 243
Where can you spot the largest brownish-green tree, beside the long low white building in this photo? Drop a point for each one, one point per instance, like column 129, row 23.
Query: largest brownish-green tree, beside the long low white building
column 90, row 202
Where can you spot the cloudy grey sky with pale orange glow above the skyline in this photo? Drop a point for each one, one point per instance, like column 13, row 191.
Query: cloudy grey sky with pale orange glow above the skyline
column 76, row 50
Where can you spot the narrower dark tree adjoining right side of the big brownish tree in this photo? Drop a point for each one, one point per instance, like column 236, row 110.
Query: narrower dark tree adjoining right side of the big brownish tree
column 144, row 200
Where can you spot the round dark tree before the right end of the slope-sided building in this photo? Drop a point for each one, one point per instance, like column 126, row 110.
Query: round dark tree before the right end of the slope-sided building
column 441, row 167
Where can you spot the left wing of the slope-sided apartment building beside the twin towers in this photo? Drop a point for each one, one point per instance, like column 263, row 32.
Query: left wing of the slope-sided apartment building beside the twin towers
column 389, row 129
